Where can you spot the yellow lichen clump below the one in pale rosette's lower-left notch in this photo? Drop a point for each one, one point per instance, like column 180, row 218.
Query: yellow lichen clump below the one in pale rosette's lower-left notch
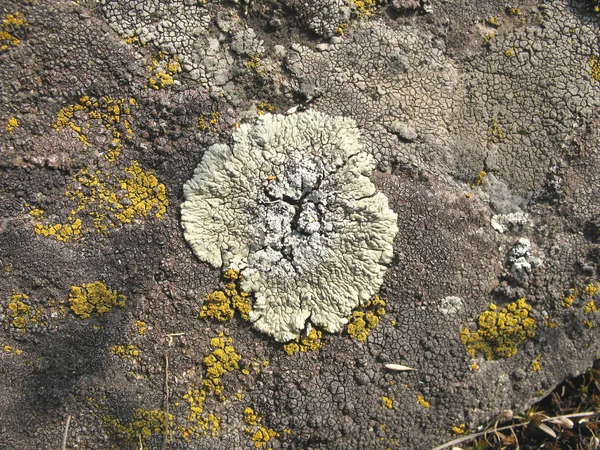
column 221, row 360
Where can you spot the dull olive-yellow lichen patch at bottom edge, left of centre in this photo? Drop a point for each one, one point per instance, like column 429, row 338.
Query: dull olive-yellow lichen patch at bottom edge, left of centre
column 143, row 425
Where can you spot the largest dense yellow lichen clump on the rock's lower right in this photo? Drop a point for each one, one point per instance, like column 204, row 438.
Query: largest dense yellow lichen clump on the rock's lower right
column 499, row 332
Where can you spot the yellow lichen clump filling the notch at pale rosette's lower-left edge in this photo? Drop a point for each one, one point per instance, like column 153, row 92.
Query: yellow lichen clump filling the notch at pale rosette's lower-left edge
column 220, row 305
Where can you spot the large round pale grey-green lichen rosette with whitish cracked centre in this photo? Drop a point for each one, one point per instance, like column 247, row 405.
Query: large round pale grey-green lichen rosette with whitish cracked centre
column 290, row 204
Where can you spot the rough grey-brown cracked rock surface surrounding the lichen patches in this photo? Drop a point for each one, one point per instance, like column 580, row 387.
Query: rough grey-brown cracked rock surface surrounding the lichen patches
column 435, row 108
